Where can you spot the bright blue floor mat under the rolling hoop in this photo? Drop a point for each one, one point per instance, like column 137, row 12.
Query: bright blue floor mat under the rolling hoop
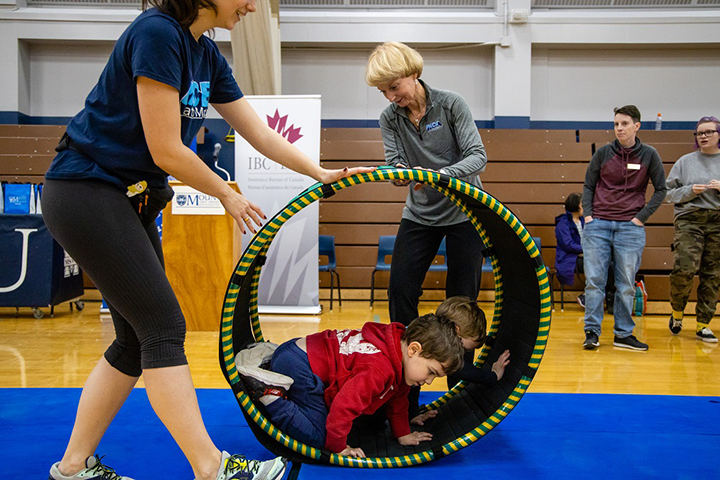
column 546, row 436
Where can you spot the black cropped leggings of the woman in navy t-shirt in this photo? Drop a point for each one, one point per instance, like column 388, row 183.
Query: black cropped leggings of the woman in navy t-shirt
column 101, row 230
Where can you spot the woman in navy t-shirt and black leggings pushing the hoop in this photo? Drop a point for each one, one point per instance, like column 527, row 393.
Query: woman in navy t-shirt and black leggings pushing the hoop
column 101, row 196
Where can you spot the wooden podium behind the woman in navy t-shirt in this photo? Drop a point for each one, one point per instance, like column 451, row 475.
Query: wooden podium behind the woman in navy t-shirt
column 201, row 252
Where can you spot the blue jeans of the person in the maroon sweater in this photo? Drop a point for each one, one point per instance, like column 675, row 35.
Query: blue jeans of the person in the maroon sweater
column 624, row 241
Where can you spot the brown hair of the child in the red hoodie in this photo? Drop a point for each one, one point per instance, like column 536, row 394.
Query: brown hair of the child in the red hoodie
column 439, row 341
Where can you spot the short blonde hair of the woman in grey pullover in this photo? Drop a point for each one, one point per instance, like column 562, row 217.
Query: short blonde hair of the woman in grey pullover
column 390, row 61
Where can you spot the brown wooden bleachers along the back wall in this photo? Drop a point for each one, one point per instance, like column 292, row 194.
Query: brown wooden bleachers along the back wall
column 530, row 171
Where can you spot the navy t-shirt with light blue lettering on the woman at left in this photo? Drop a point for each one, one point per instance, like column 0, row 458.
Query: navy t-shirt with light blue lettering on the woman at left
column 108, row 131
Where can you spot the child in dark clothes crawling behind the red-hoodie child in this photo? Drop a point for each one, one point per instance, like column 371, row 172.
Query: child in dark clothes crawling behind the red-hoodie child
column 471, row 327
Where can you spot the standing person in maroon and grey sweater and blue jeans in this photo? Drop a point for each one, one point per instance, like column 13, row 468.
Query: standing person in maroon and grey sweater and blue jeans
column 615, row 214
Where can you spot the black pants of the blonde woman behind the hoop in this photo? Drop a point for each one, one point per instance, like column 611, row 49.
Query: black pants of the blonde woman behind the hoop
column 415, row 248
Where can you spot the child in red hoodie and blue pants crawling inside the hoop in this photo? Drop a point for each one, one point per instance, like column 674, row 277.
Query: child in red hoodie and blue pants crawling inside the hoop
column 337, row 375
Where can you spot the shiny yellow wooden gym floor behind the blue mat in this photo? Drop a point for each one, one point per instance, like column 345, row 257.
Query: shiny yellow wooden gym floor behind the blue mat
column 61, row 351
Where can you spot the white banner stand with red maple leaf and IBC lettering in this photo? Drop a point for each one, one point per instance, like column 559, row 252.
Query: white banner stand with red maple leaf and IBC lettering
column 289, row 279
